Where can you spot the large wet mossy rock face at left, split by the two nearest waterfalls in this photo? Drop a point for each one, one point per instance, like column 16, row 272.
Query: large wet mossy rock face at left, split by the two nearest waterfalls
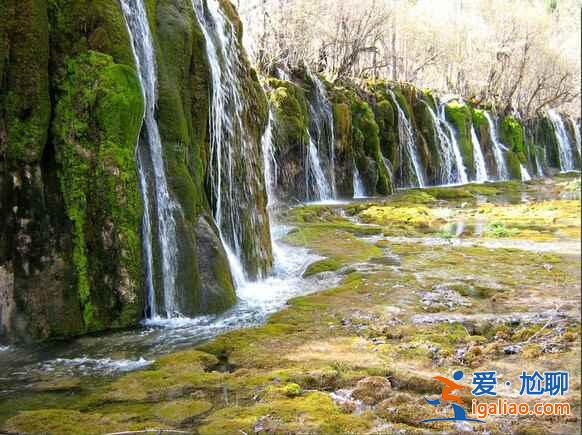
column 71, row 214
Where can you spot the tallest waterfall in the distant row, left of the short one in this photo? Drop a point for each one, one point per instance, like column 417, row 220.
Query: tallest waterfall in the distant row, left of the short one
column 322, row 125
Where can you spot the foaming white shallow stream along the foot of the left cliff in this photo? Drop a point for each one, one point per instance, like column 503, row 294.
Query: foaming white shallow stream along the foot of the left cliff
column 121, row 352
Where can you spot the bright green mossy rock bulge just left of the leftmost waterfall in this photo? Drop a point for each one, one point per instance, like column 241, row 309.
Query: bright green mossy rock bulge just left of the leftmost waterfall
column 97, row 123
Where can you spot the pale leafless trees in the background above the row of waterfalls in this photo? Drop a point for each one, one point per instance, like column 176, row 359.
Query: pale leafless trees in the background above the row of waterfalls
column 523, row 56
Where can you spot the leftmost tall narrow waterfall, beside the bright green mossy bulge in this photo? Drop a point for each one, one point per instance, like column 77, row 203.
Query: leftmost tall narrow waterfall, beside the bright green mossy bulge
column 151, row 169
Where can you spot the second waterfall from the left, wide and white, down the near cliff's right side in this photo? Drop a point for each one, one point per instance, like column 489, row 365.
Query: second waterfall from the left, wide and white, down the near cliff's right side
column 232, row 170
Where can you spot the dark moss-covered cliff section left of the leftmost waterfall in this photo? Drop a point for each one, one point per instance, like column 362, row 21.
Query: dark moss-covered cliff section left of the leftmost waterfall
column 69, row 120
